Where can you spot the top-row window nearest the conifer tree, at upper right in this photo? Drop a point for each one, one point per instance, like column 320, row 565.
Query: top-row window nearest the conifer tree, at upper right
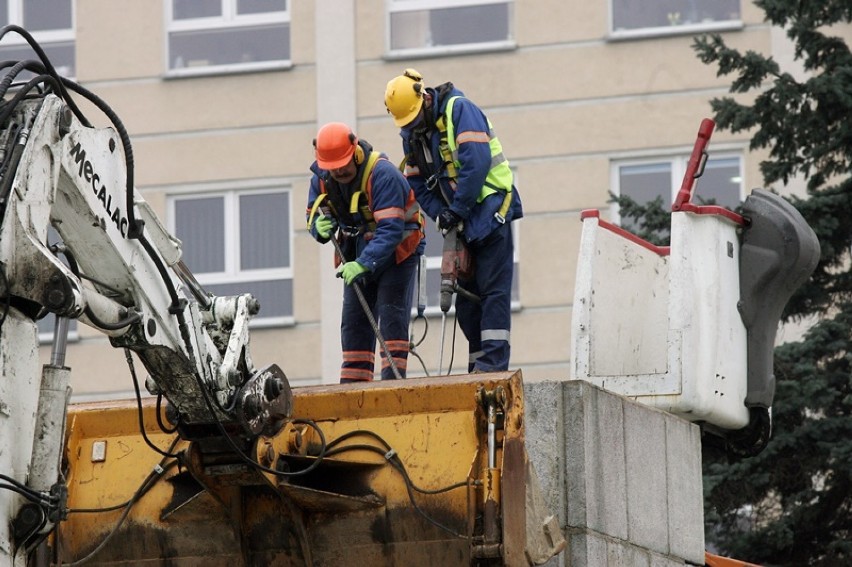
column 630, row 18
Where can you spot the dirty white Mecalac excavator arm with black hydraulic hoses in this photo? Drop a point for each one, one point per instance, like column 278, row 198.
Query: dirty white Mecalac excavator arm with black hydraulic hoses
column 116, row 269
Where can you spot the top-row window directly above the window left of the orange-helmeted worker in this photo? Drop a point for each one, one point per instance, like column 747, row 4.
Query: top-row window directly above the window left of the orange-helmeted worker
column 207, row 36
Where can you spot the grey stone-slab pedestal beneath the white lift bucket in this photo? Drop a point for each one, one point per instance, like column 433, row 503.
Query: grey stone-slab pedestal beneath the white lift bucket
column 623, row 478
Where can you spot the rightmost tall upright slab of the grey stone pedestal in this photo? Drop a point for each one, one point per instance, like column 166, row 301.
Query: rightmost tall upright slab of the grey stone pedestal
column 685, row 490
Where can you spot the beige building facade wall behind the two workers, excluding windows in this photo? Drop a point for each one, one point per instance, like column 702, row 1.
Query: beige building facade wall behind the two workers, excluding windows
column 565, row 102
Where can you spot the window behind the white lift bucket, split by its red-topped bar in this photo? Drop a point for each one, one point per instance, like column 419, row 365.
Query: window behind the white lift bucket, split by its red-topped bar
column 644, row 180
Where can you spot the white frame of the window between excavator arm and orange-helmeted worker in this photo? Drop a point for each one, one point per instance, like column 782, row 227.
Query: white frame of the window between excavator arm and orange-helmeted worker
column 231, row 273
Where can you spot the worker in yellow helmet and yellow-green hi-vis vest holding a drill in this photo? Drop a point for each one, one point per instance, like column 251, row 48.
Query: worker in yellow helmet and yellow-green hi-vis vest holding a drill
column 455, row 164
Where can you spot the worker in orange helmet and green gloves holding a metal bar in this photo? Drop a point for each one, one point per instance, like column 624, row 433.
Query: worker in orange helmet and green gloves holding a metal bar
column 358, row 197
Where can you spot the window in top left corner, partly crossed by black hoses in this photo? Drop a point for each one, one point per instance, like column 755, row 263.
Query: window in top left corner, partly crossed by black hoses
column 50, row 22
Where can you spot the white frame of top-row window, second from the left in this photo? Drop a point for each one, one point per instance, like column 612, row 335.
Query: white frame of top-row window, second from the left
column 229, row 20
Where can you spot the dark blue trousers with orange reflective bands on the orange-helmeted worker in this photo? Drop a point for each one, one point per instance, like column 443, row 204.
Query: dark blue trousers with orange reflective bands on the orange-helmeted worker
column 389, row 295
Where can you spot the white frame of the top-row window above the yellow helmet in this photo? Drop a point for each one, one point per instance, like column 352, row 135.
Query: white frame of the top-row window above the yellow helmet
column 399, row 6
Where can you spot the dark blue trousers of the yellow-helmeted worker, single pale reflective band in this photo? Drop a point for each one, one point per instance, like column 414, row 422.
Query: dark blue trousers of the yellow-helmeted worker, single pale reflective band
column 487, row 324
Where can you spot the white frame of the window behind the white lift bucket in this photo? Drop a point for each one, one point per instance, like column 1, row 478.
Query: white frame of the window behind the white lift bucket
column 678, row 161
